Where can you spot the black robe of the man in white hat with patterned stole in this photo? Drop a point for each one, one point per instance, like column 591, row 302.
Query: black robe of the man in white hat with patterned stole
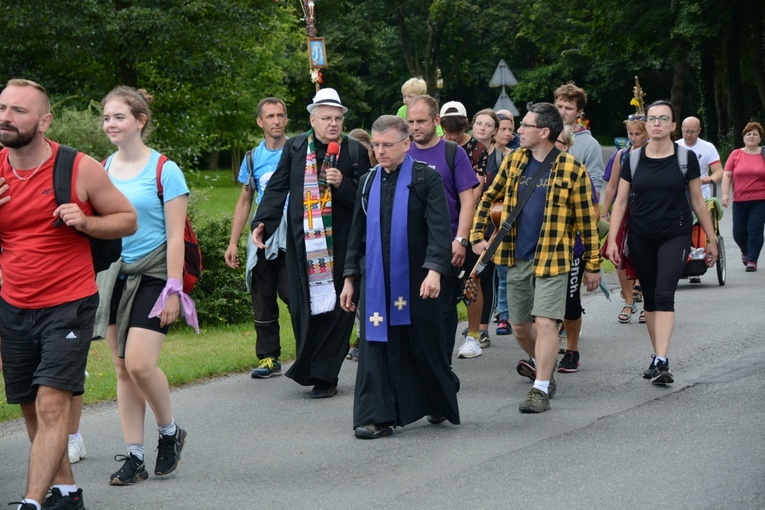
column 321, row 340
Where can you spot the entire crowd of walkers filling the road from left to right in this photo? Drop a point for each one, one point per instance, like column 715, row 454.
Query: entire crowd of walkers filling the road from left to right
column 390, row 229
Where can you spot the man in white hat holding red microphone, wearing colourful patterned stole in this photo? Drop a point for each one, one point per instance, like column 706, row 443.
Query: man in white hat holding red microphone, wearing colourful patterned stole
column 323, row 192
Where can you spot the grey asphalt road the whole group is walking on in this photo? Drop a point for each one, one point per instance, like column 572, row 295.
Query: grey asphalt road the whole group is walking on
column 611, row 439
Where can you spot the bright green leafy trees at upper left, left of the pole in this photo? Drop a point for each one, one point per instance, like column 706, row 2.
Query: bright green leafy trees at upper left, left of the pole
column 207, row 62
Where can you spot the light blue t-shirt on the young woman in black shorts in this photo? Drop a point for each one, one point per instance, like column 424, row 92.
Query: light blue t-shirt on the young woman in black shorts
column 141, row 190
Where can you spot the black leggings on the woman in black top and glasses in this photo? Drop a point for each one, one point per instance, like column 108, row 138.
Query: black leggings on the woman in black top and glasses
column 659, row 264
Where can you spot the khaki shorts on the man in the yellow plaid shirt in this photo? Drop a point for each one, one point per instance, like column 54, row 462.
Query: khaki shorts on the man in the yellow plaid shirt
column 529, row 296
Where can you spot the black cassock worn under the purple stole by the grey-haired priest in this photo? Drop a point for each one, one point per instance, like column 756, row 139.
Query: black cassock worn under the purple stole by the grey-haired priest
column 408, row 377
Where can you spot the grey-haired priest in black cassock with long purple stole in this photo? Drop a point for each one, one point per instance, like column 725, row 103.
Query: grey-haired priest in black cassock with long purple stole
column 400, row 246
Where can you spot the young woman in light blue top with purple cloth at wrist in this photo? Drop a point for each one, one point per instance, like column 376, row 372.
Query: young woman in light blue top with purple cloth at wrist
column 150, row 276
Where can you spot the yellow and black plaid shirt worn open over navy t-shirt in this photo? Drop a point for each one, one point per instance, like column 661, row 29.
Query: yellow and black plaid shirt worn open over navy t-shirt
column 568, row 209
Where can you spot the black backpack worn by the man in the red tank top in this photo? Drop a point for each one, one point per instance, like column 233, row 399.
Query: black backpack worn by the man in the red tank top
column 104, row 251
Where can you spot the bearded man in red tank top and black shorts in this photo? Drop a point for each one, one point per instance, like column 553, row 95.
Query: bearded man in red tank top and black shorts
column 49, row 297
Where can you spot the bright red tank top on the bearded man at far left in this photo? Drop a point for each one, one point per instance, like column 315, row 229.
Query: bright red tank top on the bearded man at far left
column 42, row 265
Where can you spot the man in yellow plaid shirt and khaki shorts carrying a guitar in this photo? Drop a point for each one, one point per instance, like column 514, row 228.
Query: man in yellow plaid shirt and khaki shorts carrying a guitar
column 539, row 247
